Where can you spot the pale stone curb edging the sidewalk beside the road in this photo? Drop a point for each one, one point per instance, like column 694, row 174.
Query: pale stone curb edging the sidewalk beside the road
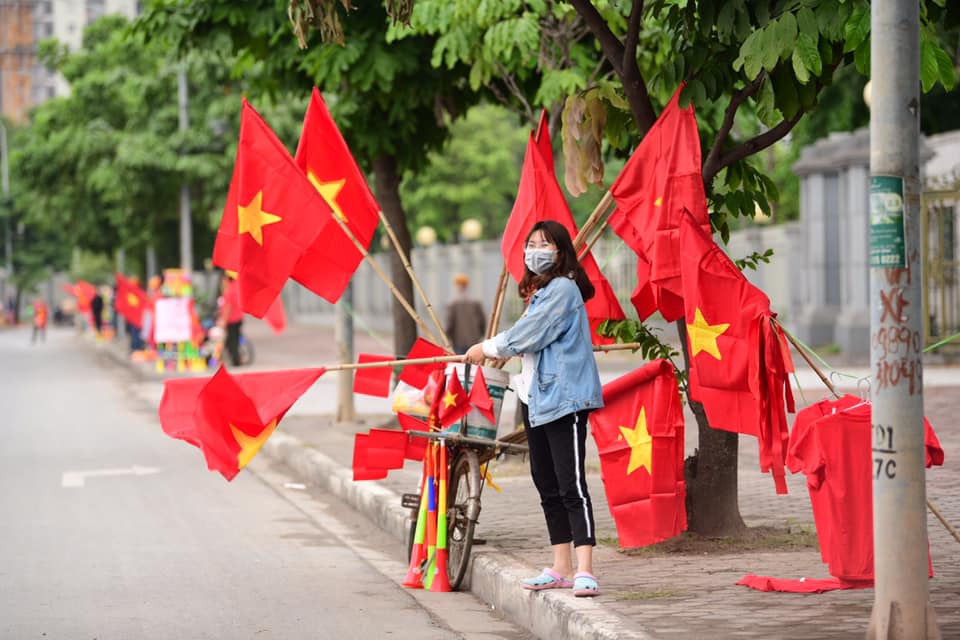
column 492, row 576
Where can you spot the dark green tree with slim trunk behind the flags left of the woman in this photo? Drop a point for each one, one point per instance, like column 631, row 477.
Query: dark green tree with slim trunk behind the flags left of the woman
column 392, row 108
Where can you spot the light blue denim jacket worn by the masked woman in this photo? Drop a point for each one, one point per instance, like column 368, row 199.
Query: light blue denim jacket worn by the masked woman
column 556, row 332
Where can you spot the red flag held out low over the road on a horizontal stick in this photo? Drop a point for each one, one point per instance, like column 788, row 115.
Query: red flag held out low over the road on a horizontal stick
column 229, row 417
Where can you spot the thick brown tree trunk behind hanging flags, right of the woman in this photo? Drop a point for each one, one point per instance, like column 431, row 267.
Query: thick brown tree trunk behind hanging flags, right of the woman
column 713, row 508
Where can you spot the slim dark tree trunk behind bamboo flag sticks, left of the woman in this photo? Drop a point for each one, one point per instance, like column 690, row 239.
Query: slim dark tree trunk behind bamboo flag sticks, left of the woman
column 387, row 184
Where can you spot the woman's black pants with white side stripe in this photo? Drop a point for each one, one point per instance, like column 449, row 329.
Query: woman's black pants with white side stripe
column 557, row 468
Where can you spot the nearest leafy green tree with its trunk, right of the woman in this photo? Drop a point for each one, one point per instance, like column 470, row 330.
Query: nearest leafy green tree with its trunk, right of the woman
column 752, row 69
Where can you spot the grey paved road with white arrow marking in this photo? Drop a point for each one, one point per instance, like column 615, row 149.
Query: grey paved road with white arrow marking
column 110, row 529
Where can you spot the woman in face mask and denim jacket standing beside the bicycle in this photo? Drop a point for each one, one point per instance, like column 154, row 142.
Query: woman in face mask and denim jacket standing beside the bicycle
column 558, row 386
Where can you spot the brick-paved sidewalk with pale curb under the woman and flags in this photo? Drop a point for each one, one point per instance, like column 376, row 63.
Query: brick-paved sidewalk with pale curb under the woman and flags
column 644, row 595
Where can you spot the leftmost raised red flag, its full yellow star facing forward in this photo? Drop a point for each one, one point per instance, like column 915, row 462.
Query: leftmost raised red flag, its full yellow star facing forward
column 272, row 215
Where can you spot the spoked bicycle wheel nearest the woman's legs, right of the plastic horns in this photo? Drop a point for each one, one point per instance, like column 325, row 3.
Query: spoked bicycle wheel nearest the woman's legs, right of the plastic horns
column 463, row 509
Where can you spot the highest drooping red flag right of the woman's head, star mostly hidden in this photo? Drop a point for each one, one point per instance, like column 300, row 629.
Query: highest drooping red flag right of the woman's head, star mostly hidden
column 660, row 180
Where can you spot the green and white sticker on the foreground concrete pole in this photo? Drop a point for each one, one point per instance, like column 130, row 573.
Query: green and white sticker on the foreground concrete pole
column 887, row 246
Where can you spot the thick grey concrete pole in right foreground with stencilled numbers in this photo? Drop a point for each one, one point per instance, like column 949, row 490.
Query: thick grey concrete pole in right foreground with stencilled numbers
column 901, row 607
